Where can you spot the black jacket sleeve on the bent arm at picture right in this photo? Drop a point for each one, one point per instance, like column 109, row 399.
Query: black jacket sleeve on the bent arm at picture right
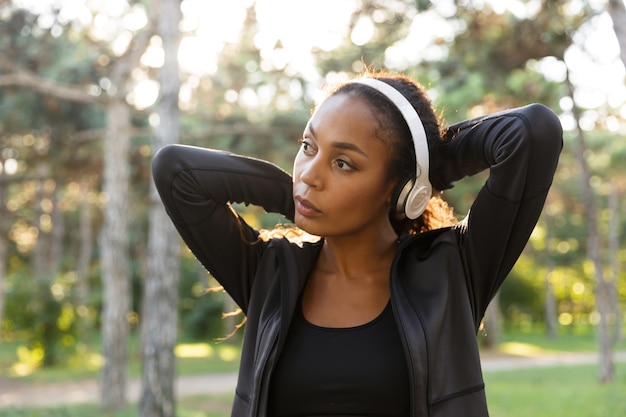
column 520, row 148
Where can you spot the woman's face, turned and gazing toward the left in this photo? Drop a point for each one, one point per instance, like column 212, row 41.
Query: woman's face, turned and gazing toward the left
column 340, row 187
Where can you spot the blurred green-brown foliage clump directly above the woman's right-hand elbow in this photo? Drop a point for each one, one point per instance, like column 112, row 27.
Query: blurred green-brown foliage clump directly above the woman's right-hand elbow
column 491, row 62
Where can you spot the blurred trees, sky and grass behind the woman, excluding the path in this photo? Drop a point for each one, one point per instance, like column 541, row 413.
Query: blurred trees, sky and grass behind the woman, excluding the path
column 94, row 282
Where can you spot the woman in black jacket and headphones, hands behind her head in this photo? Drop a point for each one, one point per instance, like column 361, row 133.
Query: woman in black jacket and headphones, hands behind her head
column 379, row 316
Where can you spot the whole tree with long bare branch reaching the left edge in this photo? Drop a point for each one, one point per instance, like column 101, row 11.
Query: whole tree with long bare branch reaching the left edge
column 114, row 236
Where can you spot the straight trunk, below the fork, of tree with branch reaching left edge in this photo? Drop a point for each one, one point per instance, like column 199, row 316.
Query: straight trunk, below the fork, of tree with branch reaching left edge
column 114, row 257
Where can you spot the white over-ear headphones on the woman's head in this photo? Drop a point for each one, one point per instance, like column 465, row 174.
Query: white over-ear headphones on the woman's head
column 412, row 196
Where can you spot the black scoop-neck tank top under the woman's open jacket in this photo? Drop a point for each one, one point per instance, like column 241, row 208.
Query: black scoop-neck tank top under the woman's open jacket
column 356, row 371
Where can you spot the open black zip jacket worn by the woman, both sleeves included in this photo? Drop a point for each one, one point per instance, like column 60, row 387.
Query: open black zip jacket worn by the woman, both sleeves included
column 441, row 281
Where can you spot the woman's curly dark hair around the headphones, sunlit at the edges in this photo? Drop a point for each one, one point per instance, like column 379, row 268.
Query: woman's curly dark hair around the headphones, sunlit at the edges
column 392, row 129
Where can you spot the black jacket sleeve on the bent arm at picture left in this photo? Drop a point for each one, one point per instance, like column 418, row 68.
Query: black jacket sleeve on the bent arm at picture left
column 196, row 186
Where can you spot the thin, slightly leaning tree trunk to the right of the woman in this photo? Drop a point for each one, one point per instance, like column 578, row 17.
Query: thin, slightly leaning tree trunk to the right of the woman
column 603, row 294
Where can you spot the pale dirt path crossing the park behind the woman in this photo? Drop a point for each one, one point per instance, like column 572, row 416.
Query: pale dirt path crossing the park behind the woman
column 17, row 394
